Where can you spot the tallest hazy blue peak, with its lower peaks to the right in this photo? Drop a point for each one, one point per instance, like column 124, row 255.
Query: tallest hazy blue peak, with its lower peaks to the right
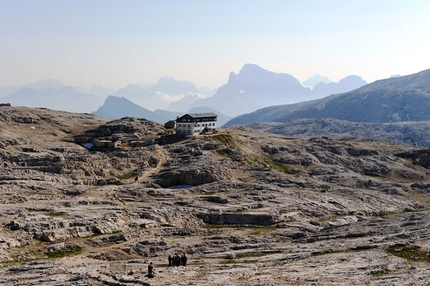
column 254, row 88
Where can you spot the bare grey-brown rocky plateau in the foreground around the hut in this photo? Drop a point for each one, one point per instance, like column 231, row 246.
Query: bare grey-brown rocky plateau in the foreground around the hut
column 88, row 201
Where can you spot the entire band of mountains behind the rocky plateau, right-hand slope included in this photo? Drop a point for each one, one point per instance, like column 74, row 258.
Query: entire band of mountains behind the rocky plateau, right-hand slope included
column 397, row 108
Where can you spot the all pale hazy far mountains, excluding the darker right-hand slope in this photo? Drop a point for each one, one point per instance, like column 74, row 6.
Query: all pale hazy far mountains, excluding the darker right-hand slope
column 251, row 89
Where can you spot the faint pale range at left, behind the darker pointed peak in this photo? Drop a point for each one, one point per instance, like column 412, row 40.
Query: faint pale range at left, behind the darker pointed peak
column 54, row 94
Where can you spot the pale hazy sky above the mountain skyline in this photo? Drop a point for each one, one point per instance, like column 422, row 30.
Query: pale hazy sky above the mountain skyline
column 117, row 42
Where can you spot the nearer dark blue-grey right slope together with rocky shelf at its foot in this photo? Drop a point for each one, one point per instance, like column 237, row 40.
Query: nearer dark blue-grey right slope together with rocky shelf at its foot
column 397, row 107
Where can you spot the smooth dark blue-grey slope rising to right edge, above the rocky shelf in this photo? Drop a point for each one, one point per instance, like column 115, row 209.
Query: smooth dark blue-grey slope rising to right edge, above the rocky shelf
column 403, row 98
